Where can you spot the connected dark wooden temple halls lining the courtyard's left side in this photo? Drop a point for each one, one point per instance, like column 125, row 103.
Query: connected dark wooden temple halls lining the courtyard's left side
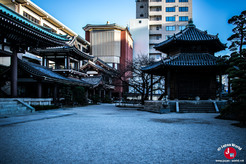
column 62, row 61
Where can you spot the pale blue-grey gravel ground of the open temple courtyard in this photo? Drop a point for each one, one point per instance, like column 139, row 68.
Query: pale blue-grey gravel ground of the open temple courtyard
column 106, row 134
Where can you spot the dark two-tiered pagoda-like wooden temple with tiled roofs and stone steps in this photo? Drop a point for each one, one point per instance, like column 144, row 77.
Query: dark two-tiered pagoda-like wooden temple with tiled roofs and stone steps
column 190, row 68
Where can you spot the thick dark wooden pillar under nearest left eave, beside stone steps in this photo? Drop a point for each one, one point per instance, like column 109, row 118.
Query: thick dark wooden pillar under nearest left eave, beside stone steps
column 14, row 75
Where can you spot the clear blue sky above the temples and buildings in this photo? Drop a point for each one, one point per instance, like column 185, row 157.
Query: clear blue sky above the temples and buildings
column 210, row 15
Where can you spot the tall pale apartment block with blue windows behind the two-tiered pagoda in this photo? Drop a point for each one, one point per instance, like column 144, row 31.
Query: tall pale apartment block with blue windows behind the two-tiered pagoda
column 165, row 18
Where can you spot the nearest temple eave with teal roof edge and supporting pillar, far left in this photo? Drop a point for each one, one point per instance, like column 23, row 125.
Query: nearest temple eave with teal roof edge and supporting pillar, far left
column 17, row 35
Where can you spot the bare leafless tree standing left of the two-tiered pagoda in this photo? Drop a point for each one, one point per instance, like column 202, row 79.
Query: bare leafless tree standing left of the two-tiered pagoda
column 134, row 77
